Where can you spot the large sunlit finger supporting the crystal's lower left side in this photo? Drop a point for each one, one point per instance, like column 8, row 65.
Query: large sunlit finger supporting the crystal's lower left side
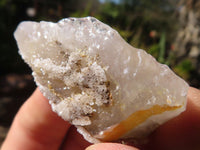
column 36, row 126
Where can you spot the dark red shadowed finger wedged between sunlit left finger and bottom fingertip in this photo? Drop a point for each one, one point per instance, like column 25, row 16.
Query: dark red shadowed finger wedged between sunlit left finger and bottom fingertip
column 74, row 140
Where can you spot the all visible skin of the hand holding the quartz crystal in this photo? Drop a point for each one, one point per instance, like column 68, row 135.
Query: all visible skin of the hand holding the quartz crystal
column 36, row 127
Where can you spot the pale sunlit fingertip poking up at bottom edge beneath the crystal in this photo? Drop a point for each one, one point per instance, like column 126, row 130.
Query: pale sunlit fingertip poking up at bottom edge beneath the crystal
column 110, row 146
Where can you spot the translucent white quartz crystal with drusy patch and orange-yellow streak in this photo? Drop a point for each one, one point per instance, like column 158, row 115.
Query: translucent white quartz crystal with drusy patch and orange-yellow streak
column 95, row 80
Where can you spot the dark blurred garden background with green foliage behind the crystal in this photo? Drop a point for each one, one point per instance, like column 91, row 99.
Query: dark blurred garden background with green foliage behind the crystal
column 167, row 29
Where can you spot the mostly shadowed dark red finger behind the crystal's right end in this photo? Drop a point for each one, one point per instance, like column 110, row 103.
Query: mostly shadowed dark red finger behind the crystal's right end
column 182, row 132
